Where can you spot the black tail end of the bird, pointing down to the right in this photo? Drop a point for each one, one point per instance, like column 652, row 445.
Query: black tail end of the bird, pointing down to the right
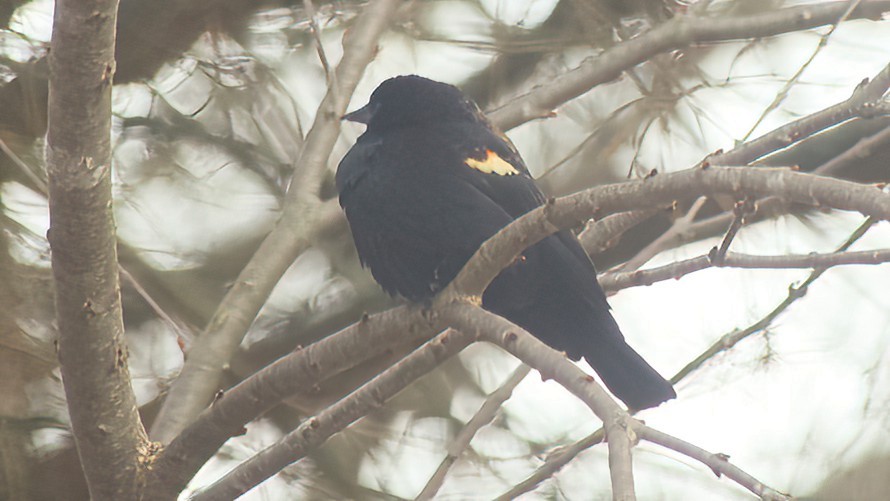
column 629, row 377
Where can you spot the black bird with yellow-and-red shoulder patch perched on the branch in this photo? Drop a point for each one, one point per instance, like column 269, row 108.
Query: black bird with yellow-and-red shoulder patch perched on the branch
column 429, row 181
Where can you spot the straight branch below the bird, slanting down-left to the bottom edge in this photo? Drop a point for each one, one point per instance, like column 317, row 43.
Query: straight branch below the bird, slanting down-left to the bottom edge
column 315, row 431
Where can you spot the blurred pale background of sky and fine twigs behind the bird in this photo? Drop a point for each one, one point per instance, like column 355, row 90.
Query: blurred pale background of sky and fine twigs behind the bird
column 211, row 104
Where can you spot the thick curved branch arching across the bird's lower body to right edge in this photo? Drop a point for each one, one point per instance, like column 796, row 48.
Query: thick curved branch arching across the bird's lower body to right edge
column 499, row 251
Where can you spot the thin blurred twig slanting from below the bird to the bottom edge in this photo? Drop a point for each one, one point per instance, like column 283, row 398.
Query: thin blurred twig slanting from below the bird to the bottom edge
column 461, row 442
